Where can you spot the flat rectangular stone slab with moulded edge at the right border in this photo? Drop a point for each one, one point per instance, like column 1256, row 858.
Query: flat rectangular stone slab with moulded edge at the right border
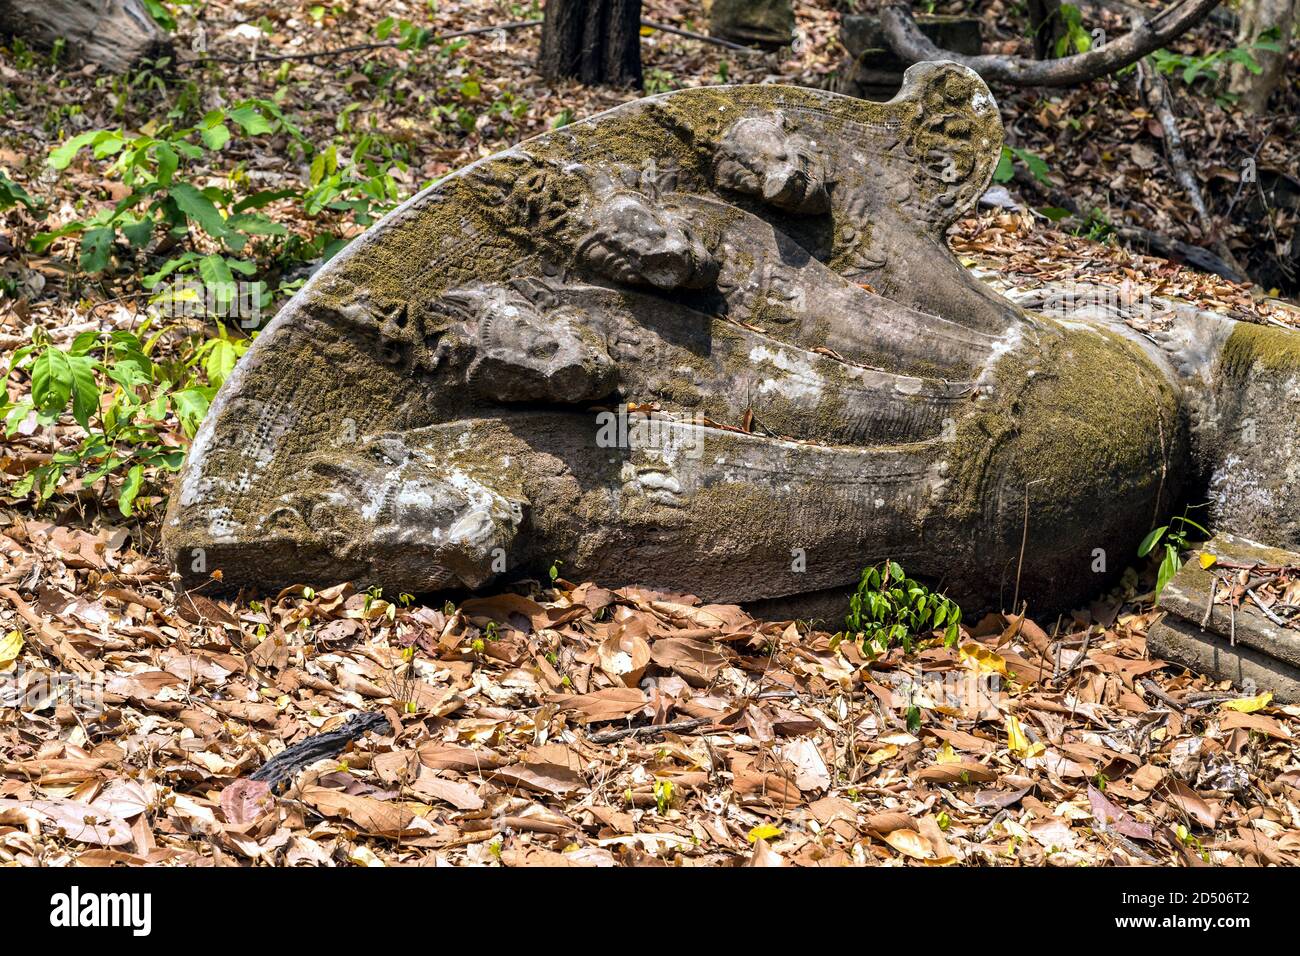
column 1264, row 656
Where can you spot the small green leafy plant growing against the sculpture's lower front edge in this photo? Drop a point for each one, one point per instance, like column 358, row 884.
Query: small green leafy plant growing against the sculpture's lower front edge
column 890, row 608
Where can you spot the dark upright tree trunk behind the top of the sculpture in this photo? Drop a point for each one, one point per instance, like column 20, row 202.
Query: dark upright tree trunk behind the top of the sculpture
column 597, row 42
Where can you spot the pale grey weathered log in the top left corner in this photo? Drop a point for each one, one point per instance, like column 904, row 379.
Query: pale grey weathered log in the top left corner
column 116, row 34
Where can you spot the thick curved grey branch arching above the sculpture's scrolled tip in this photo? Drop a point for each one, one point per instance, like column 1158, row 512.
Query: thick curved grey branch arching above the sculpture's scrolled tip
column 1146, row 36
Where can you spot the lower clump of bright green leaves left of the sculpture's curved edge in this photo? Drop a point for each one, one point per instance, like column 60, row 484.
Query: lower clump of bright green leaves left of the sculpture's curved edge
column 125, row 403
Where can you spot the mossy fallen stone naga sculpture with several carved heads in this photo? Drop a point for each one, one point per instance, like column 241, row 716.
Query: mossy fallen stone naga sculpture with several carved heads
column 816, row 383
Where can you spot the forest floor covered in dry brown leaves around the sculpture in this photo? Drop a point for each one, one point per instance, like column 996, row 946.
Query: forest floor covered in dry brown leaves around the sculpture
column 133, row 716
